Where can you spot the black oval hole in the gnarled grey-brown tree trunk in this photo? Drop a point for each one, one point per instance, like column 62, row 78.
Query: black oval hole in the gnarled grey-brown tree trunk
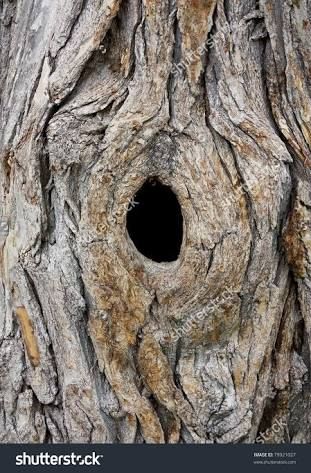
column 155, row 222
